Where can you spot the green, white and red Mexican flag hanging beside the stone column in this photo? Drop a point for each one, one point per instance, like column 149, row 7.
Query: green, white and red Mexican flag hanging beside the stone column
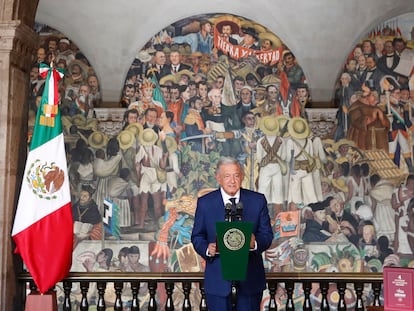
column 43, row 225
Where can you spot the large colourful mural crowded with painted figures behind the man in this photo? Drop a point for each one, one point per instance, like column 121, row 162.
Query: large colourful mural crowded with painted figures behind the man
column 221, row 85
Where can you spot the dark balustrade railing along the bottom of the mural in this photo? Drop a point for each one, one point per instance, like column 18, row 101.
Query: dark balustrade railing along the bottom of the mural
column 167, row 284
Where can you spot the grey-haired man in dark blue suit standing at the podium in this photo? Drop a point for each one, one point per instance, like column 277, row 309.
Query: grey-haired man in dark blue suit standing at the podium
column 211, row 209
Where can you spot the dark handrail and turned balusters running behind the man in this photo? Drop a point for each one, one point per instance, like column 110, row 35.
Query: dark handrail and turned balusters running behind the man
column 168, row 279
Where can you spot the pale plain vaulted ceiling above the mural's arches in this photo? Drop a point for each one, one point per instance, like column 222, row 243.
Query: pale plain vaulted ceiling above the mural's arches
column 320, row 33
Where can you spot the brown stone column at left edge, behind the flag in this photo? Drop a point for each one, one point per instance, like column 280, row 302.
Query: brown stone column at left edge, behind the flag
column 18, row 43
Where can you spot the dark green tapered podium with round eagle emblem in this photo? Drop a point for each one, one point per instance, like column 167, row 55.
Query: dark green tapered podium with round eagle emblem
column 233, row 241
